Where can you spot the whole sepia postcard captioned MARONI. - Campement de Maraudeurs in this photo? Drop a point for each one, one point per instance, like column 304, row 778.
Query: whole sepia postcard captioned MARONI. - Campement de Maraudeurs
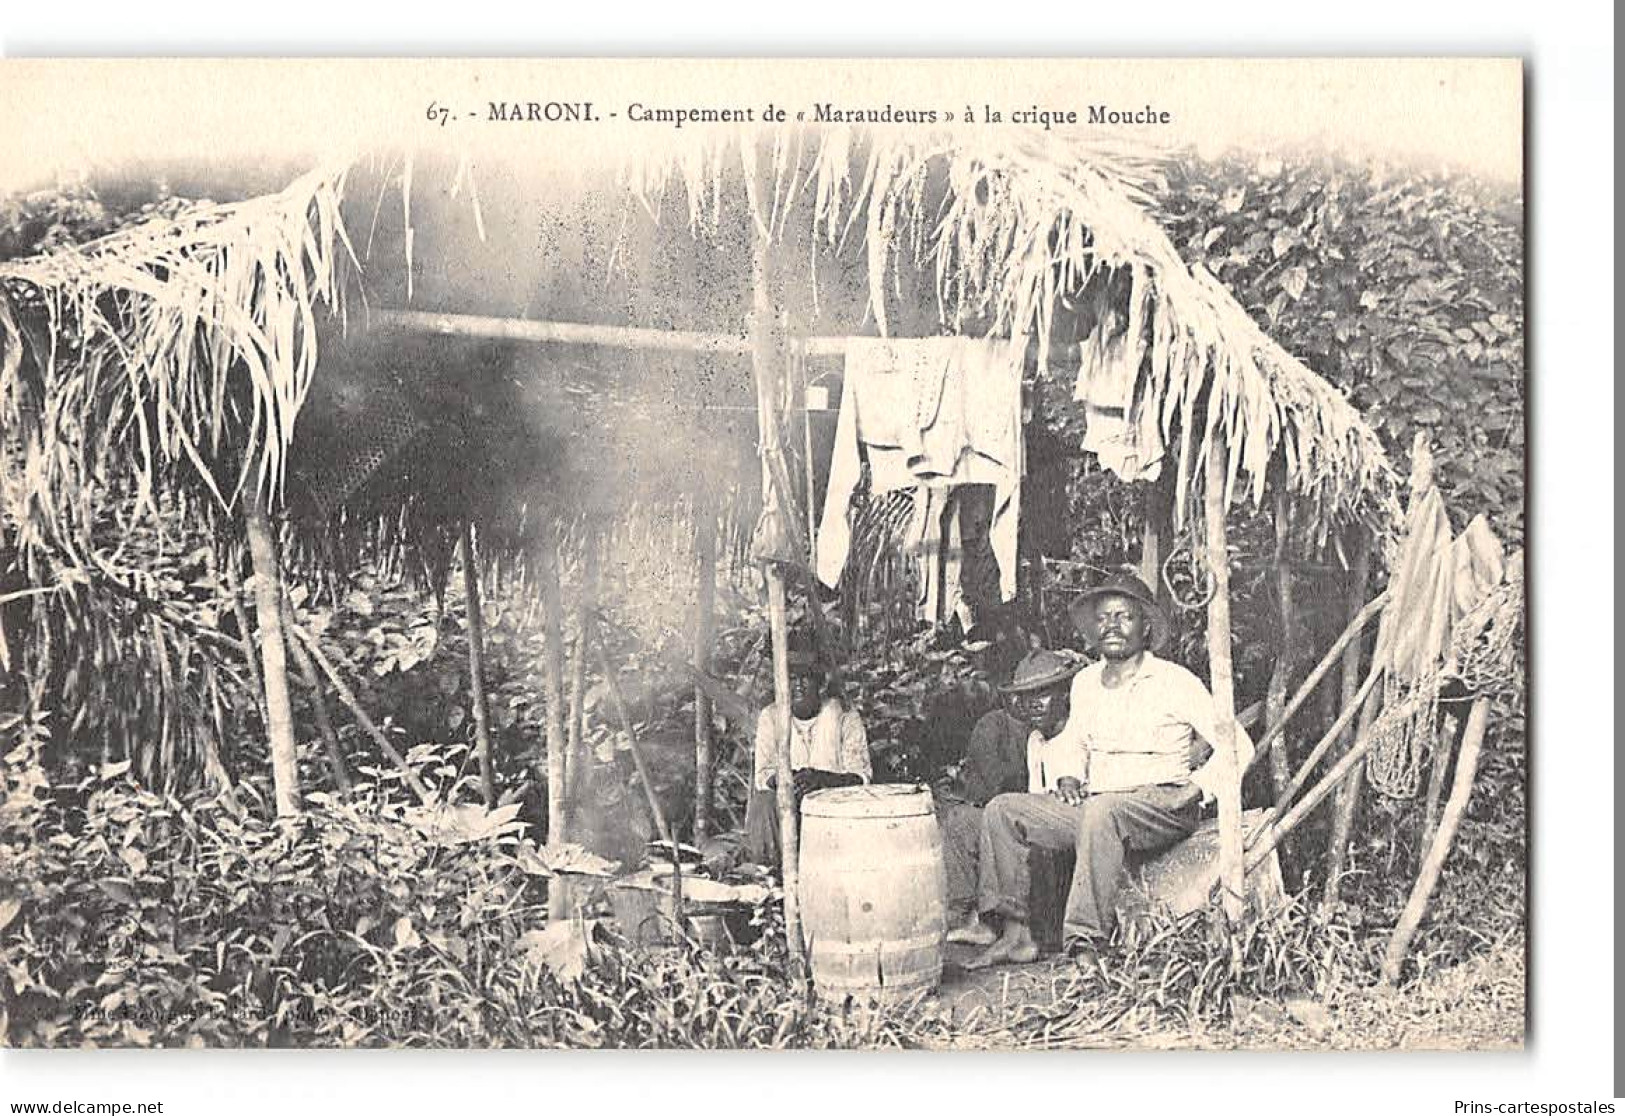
column 786, row 555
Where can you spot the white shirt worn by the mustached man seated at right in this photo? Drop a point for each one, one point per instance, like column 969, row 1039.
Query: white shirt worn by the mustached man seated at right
column 1140, row 732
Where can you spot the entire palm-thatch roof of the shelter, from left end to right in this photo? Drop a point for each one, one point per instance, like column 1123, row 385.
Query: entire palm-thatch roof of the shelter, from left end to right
column 175, row 361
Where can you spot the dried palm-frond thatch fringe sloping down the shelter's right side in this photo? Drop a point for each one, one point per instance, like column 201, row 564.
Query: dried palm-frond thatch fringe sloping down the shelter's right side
column 1012, row 227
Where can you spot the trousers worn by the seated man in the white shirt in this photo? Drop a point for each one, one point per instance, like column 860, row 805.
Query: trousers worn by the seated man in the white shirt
column 1103, row 831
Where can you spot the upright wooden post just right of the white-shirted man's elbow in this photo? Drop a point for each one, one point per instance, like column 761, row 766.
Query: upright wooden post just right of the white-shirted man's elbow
column 1220, row 662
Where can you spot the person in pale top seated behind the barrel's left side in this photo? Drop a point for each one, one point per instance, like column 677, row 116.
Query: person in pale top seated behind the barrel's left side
column 828, row 748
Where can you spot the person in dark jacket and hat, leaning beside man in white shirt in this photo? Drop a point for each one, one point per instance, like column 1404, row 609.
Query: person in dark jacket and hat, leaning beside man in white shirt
column 997, row 763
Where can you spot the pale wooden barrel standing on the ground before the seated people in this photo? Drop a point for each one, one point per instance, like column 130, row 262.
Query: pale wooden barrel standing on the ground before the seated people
column 873, row 893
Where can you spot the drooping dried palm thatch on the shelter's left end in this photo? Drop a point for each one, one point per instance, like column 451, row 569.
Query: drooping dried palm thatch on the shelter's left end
column 184, row 340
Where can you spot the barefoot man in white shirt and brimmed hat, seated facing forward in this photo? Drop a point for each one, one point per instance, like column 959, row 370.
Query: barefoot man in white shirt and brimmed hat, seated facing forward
column 1124, row 776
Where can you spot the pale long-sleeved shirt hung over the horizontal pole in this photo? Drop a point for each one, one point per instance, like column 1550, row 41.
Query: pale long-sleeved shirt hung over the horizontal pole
column 929, row 412
